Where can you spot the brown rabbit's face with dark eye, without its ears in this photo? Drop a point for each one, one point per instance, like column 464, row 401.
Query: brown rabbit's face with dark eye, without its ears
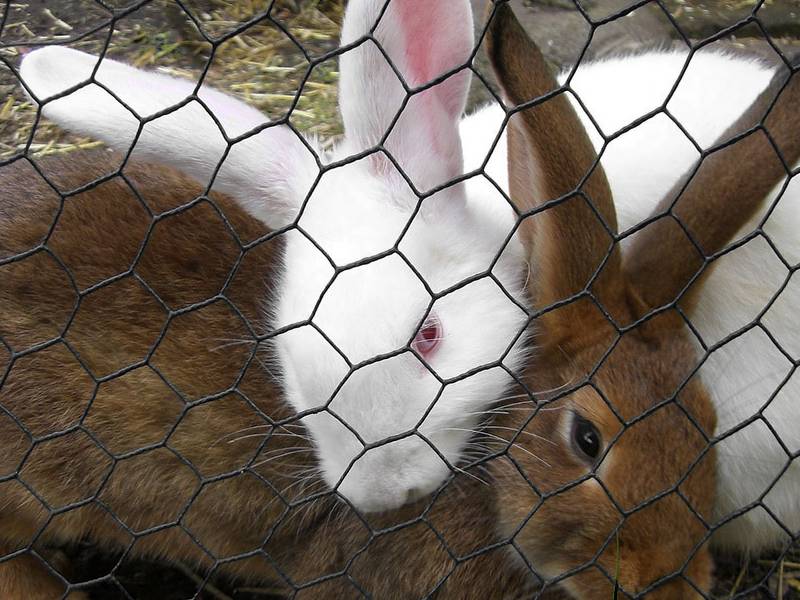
column 612, row 473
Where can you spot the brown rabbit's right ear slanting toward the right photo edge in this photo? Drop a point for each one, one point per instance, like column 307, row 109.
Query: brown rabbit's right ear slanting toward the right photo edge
column 725, row 191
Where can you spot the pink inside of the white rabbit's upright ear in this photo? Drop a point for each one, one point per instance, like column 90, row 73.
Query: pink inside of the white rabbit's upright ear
column 424, row 39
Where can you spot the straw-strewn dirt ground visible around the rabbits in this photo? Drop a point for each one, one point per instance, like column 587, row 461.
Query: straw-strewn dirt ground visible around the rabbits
column 264, row 66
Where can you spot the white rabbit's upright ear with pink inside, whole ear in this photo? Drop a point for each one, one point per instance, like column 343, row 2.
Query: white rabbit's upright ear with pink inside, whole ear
column 424, row 39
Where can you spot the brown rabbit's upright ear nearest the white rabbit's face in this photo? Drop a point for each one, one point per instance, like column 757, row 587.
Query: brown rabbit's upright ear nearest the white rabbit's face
column 551, row 159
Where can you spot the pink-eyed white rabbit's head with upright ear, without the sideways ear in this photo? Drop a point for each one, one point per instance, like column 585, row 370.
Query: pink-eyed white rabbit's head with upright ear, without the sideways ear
column 393, row 335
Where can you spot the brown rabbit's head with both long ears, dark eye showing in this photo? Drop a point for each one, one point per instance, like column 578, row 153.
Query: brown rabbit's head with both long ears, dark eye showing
column 608, row 480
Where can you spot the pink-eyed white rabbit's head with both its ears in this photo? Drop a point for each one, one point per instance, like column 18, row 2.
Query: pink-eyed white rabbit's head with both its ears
column 342, row 333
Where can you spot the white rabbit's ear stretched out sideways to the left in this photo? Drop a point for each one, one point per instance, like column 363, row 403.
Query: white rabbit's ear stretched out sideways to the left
column 269, row 173
